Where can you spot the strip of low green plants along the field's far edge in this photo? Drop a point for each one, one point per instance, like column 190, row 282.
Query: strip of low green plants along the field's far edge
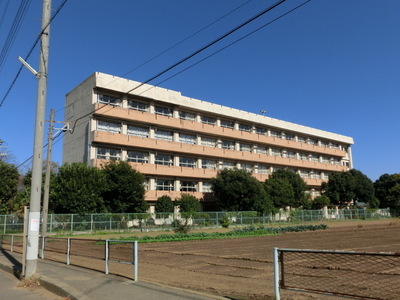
column 248, row 231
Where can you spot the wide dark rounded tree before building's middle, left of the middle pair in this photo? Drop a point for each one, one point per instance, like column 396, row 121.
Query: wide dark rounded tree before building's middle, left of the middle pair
column 237, row 190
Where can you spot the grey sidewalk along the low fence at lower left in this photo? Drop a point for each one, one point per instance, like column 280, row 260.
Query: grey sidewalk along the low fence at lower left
column 84, row 284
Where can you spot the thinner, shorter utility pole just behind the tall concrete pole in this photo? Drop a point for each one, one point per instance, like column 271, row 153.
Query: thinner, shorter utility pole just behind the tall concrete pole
column 45, row 206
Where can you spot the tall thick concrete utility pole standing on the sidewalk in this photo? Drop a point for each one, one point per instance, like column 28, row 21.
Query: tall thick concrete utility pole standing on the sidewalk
column 36, row 187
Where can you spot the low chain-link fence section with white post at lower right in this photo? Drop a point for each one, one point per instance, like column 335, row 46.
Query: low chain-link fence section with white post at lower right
column 359, row 275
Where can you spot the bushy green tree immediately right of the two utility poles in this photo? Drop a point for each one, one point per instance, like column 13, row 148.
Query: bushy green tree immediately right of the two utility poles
column 77, row 188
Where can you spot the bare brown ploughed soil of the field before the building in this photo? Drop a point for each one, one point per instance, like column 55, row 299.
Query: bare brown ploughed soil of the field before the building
column 242, row 268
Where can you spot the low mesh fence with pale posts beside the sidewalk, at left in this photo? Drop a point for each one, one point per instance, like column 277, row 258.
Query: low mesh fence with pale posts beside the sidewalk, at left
column 79, row 252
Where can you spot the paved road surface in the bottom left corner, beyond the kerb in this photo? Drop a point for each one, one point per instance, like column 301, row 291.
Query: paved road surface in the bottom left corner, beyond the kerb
column 10, row 289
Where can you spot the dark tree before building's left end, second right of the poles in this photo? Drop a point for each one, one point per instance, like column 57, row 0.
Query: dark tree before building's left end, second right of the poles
column 124, row 190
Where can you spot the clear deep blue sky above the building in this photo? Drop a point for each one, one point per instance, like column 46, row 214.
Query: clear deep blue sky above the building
column 332, row 65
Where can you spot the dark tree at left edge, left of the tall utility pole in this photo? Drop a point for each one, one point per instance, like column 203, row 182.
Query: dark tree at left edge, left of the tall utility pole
column 8, row 185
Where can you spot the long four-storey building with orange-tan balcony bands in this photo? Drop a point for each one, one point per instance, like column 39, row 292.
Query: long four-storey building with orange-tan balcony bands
column 179, row 143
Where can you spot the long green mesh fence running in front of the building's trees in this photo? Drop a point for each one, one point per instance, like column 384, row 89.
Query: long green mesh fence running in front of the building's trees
column 69, row 223
